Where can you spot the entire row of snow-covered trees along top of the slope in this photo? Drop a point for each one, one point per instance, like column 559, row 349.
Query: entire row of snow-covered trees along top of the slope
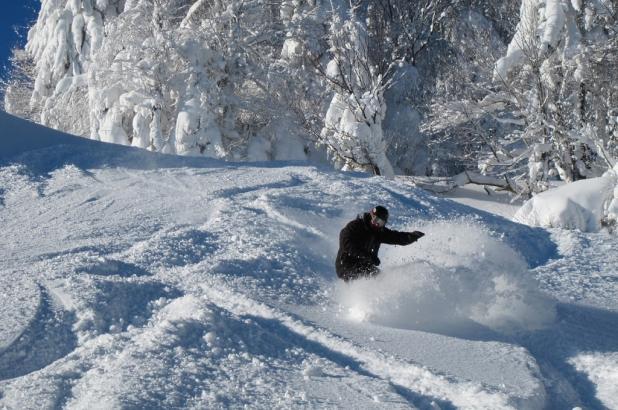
column 430, row 87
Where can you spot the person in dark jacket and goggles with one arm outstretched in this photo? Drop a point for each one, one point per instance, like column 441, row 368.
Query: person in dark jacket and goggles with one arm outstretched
column 360, row 240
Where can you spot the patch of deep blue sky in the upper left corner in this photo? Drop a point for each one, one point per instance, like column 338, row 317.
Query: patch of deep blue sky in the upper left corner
column 16, row 14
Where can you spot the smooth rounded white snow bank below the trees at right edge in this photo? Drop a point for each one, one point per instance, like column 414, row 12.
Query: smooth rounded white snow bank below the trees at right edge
column 583, row 205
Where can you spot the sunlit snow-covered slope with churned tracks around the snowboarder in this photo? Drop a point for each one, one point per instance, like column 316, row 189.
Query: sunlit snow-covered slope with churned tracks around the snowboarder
column 137, row 280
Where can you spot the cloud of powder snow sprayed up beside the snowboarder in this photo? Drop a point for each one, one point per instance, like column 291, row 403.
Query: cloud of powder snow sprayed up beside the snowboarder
column 457, row 278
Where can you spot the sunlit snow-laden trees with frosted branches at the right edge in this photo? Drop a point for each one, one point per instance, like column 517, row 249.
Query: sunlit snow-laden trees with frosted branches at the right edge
column 548, row 109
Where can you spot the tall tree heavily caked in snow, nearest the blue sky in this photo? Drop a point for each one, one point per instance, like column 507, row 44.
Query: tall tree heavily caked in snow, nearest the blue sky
column 63, row 42
